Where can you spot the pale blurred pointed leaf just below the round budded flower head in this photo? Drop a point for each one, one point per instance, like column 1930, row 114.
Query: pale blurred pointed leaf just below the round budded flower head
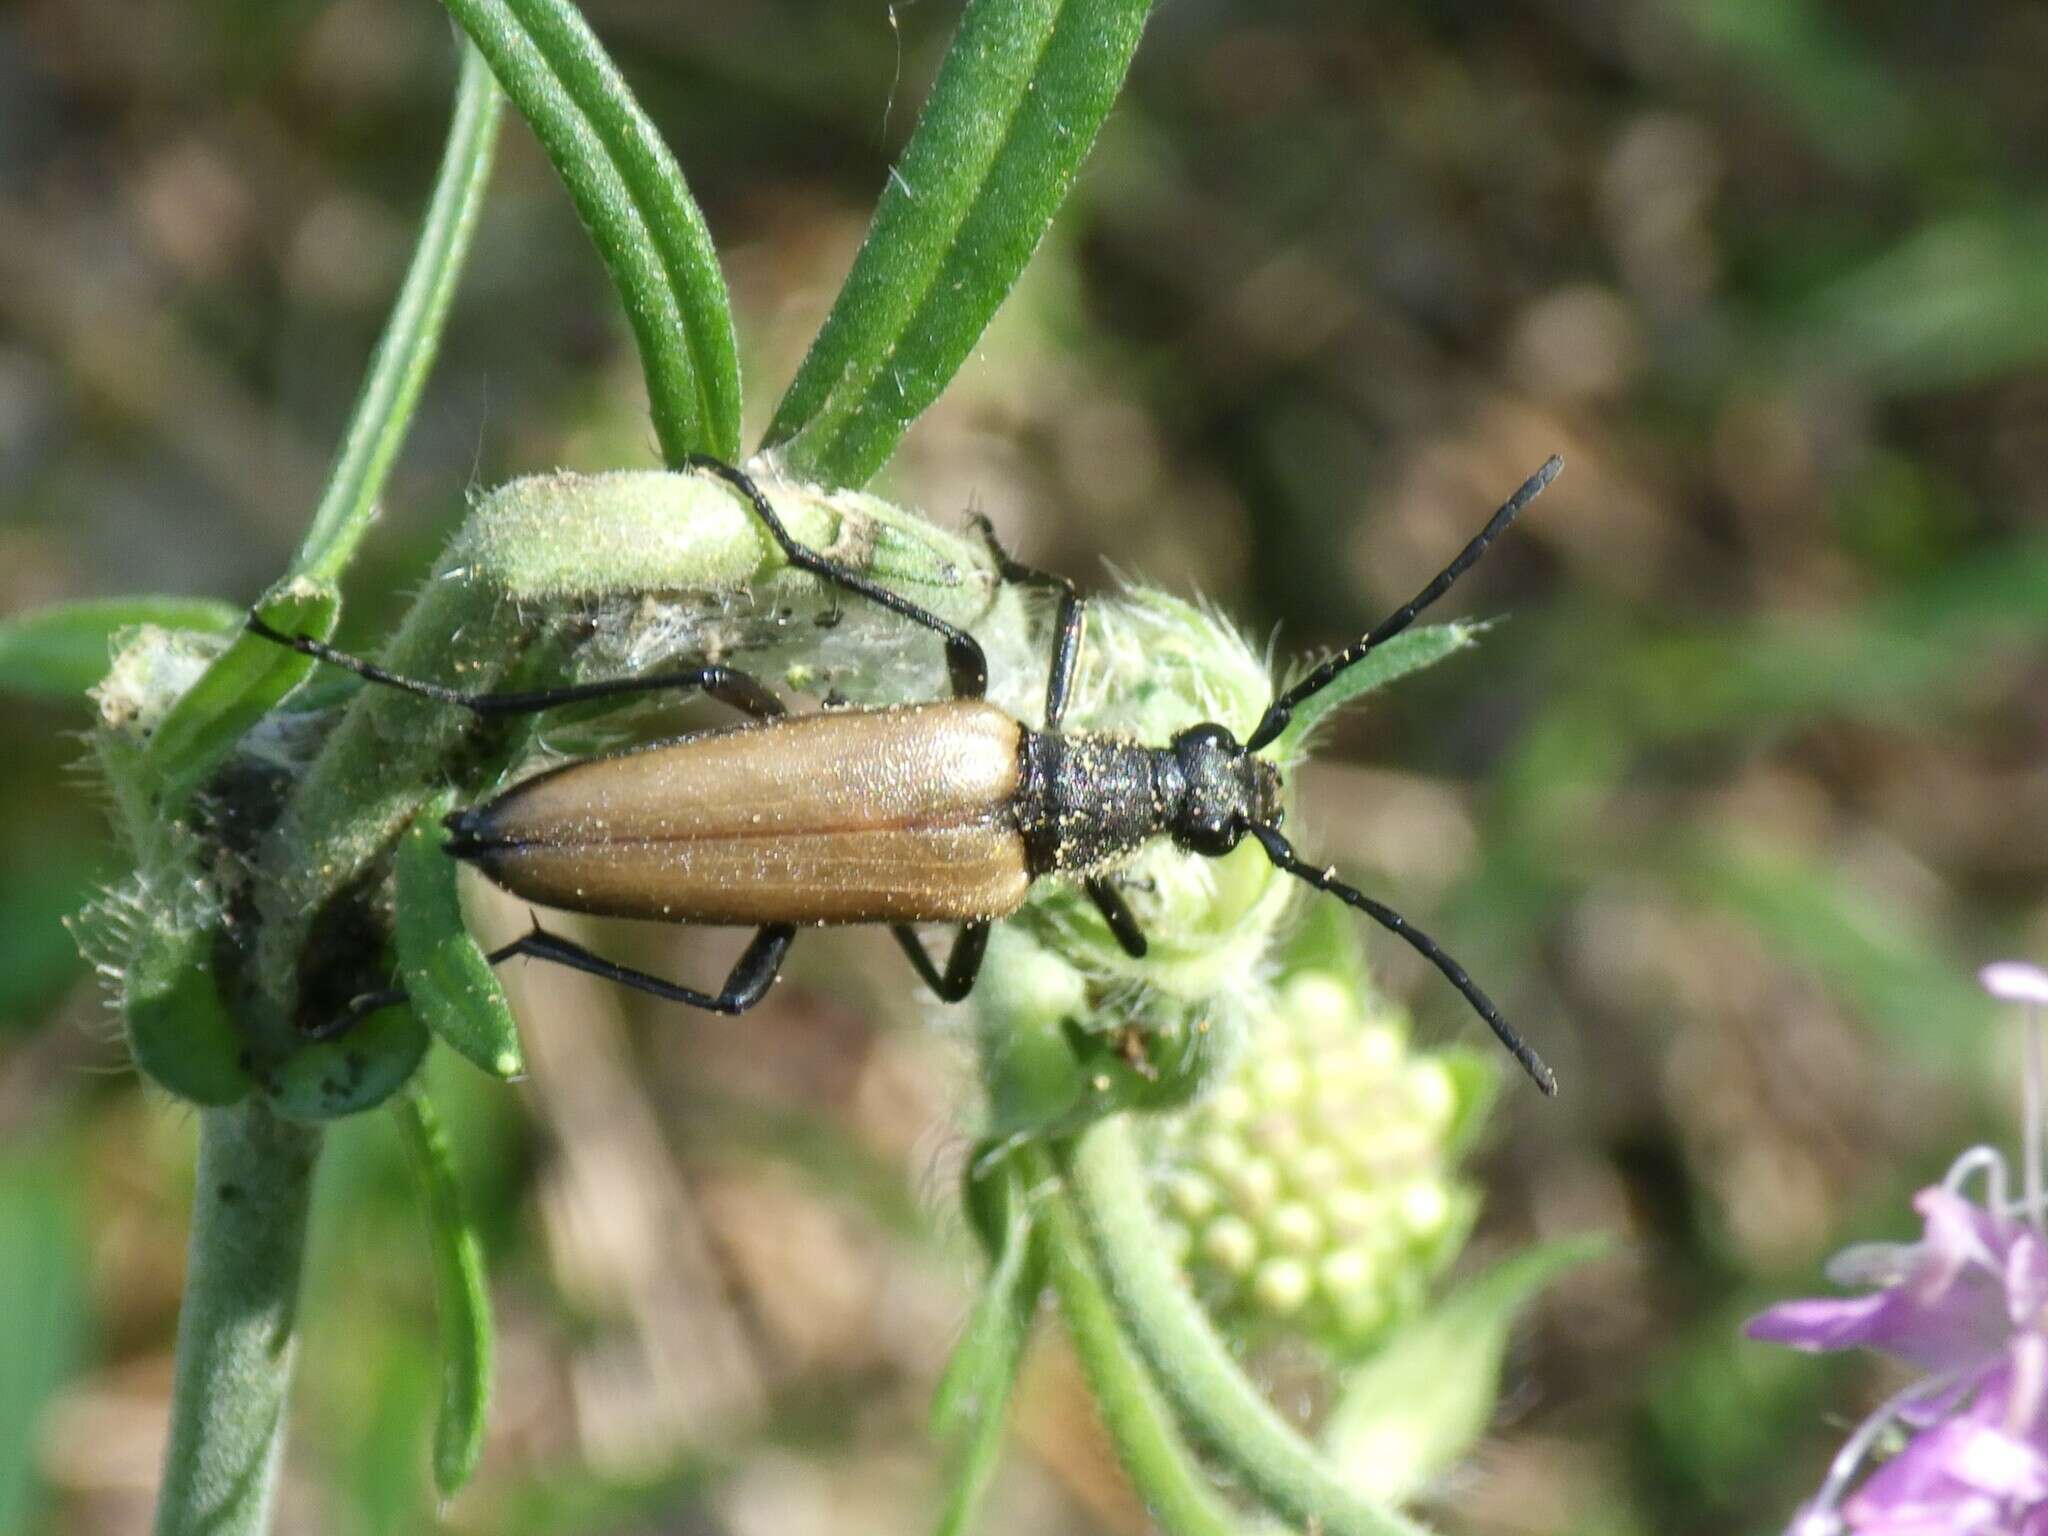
column 1418, row 1406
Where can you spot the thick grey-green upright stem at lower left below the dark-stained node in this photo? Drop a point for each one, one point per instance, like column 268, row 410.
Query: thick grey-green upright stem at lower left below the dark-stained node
column 237, row 1328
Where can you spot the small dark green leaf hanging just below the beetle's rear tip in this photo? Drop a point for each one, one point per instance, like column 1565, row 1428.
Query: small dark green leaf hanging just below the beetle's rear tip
column 447, row 978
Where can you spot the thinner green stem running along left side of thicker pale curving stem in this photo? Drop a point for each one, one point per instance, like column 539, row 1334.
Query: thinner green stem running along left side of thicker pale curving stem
column 1150, row 1447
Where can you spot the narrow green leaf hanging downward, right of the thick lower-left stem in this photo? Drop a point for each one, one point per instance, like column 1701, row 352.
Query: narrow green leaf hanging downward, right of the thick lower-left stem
column 462, row 1297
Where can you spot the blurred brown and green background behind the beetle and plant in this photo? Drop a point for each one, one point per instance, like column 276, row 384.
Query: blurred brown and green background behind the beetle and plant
column 1727, row 812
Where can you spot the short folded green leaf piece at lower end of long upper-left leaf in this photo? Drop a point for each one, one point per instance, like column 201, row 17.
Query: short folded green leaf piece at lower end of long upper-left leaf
column 245, row 683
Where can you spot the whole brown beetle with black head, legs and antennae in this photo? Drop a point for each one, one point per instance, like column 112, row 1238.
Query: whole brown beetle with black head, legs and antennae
column 941, row 812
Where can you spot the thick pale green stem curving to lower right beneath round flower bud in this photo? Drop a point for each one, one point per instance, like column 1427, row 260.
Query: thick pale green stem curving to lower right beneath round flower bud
column 1240, row 1428
